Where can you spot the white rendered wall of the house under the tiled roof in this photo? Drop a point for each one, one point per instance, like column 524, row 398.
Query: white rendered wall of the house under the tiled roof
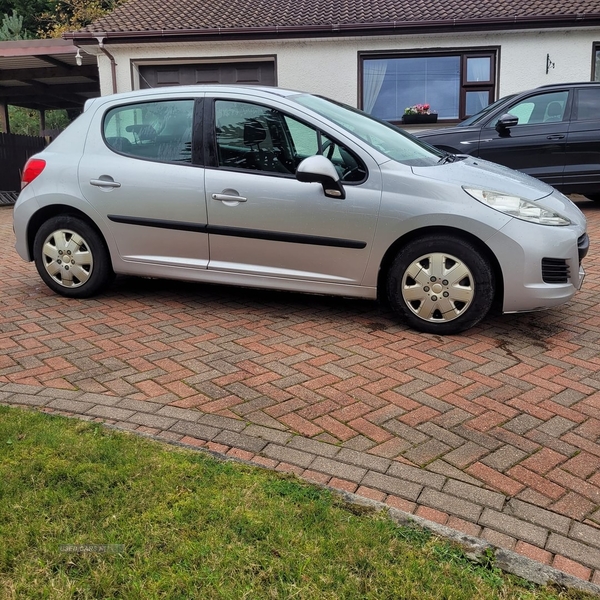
column 330, row 66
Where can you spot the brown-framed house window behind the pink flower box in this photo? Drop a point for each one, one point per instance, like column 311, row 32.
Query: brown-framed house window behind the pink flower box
column 455, row 84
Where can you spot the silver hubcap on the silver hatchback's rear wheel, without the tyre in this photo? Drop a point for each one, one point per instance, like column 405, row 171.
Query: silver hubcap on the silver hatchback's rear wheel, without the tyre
column 67, row 258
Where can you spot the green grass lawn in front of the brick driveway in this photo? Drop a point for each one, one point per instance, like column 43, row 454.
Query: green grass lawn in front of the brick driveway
column 88, row 512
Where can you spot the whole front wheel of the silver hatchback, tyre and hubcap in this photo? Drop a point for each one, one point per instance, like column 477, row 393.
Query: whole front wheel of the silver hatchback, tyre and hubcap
column 441, row 284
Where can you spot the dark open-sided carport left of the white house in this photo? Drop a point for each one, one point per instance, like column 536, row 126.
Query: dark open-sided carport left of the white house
column 39, row 75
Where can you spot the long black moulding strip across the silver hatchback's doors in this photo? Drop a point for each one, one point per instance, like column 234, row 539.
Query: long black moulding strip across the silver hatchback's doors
column 257, row 234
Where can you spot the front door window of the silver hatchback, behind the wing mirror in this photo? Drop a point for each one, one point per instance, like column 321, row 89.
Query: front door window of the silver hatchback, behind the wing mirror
column 258, row 138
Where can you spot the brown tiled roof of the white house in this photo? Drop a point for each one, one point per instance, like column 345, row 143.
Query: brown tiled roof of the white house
column 193, row 15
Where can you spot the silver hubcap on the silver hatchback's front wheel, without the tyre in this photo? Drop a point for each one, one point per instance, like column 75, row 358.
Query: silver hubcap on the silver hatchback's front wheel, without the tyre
column 438, row 287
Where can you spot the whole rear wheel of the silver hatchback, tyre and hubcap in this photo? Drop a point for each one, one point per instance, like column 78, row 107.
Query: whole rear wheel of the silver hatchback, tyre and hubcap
column 87, row 269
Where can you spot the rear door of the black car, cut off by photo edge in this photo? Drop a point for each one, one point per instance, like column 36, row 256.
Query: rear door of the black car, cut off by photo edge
column 582, row 169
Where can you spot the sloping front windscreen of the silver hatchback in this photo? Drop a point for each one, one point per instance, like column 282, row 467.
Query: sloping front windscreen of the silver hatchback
column 384, row 137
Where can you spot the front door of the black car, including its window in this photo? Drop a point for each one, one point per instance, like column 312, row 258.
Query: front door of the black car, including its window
column 537, row 144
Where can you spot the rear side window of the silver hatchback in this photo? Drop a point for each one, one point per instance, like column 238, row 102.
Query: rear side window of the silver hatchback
column 158, row 131
